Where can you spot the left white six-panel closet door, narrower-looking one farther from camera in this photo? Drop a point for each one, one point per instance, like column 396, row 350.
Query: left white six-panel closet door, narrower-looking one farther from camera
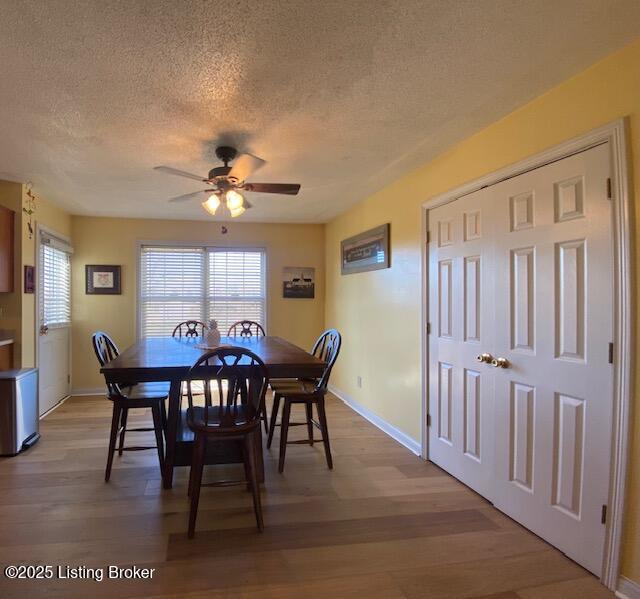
column 461, row 289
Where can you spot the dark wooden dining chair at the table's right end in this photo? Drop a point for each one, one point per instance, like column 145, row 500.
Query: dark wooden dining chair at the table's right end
column 309, row 392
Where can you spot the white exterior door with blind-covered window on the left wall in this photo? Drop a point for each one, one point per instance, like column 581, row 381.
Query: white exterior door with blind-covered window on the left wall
column 54, row 310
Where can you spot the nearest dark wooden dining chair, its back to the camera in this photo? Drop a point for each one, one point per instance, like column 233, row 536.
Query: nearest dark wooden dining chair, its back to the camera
column 226, row 415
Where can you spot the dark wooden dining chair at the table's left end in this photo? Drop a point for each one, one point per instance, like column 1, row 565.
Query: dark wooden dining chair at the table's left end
column 126, row 397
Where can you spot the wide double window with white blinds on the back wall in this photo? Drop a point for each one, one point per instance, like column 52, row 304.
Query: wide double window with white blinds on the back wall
column 200, row 283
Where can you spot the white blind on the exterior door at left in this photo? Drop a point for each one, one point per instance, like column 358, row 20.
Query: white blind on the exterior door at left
column 55, row 283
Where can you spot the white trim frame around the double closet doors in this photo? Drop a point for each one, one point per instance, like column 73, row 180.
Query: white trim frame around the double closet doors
column 616, row 134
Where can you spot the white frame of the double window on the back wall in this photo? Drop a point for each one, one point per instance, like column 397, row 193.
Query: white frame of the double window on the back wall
column 206, row 246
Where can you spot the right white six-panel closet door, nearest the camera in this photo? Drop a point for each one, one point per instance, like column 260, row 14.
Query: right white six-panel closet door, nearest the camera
column 553, row 323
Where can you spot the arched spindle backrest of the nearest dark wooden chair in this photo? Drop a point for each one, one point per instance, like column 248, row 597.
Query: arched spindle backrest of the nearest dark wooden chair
column 235, row 382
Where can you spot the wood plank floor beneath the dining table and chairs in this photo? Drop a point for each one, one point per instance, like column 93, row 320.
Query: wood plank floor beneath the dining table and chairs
column 382, row 524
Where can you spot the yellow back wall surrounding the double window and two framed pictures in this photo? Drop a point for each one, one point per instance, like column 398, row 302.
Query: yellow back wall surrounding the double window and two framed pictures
column 114, row 241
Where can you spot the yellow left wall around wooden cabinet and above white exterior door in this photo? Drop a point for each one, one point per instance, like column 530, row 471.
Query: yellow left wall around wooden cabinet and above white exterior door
column 19, row 307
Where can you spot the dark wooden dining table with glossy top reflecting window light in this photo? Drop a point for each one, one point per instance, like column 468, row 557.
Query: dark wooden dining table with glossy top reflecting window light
column 168, row 359
